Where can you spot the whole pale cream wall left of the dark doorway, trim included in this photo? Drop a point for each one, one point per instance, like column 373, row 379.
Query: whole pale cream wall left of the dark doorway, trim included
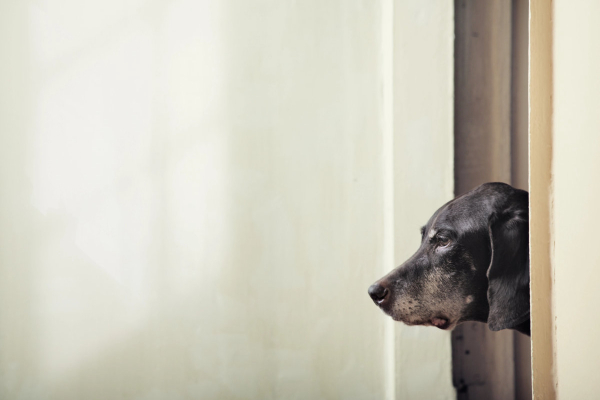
column 194, row 196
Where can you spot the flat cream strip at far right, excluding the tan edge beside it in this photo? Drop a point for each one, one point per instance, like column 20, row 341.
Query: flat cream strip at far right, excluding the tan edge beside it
column 576, row 178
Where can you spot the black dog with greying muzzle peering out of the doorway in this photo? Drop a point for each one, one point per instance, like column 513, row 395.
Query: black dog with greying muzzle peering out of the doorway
column 472, row 265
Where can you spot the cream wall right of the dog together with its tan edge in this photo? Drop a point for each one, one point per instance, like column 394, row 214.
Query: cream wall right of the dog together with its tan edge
column 565, row 95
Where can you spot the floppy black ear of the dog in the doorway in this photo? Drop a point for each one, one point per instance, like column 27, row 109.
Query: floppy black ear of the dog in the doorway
column 508, row 273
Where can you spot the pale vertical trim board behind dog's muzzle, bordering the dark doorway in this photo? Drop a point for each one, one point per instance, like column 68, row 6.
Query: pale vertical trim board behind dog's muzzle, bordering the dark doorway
column 423, row 172
